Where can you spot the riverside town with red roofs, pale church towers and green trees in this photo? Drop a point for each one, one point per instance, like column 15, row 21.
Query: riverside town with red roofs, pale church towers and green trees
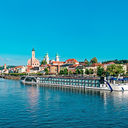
column 67, row 67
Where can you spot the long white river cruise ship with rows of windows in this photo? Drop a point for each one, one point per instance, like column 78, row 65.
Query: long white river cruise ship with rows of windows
column 78, row 82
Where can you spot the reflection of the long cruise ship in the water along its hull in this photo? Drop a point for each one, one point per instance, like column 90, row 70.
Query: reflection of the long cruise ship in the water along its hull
column 114, row 97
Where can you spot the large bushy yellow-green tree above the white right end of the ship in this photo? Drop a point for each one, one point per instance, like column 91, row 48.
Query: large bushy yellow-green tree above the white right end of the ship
column 115, row 69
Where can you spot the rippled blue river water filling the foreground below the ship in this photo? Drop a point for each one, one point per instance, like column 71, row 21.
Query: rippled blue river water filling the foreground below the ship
column 42, row 107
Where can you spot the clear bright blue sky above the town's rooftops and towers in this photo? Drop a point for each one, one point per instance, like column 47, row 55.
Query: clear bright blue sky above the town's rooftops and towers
column 72, row 28
